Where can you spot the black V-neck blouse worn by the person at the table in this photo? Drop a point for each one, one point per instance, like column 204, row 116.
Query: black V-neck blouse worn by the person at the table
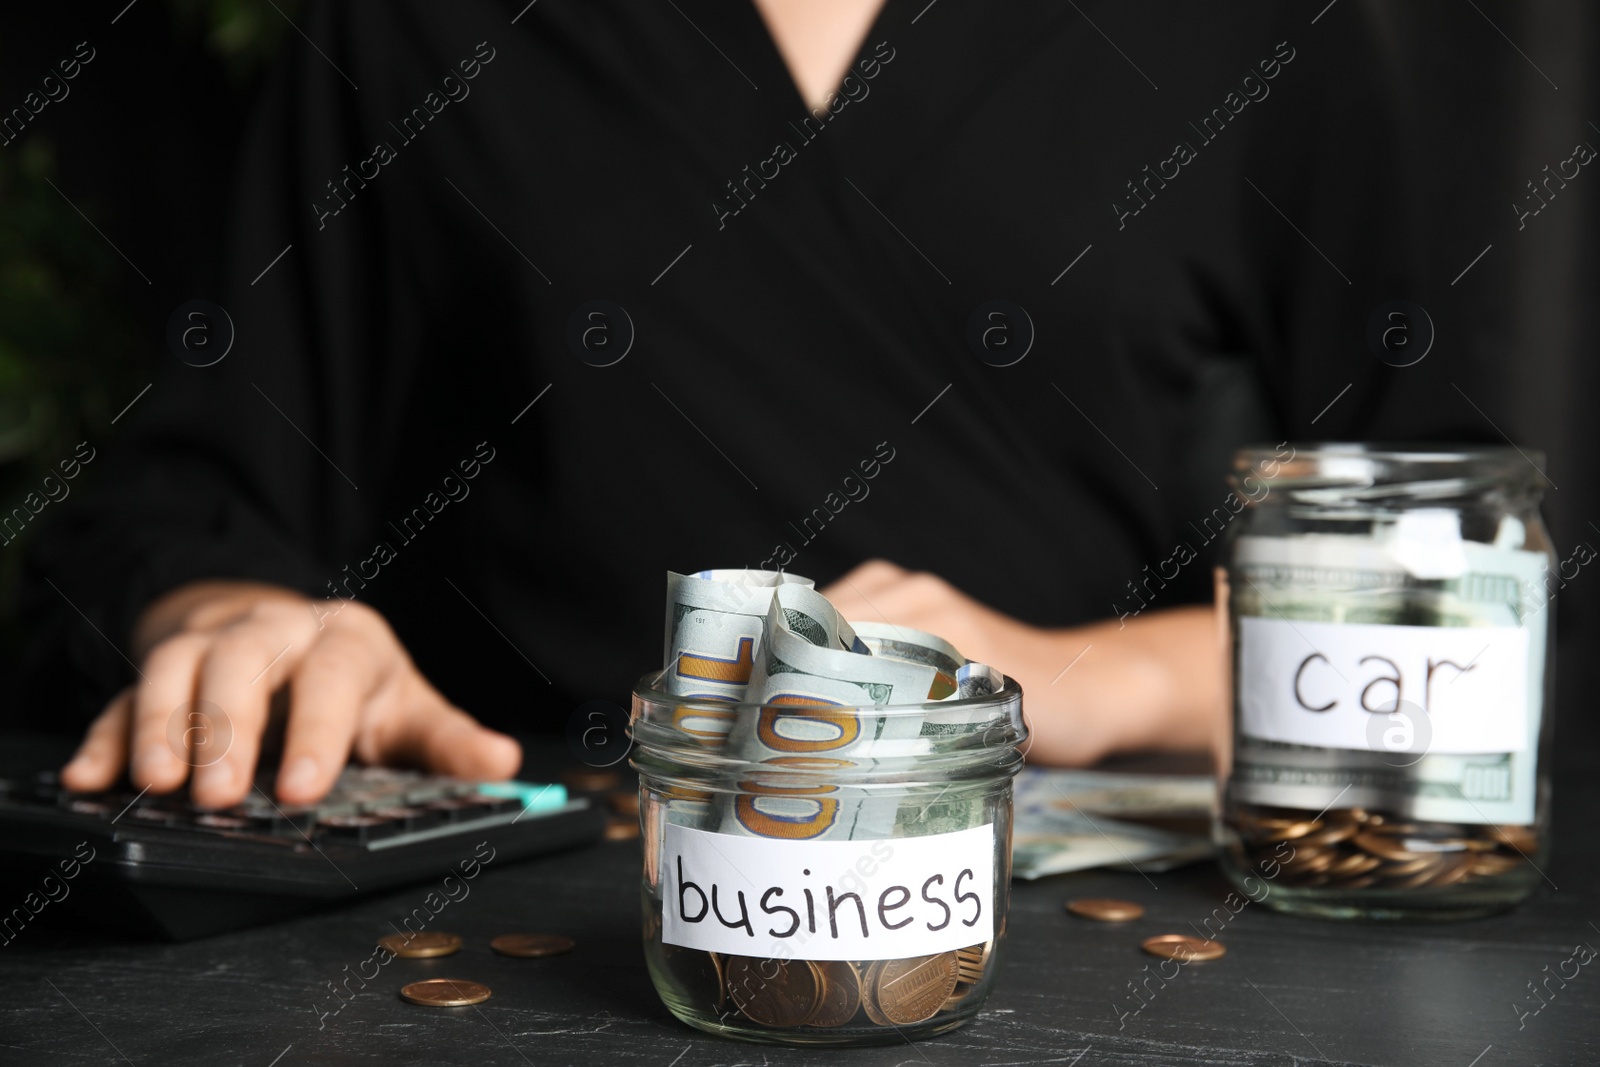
column 537, row 303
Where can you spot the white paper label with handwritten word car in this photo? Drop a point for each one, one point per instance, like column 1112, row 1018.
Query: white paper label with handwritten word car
column 1458, row 690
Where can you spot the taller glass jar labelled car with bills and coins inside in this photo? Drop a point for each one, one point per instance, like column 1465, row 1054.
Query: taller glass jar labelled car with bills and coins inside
column 1390, row 629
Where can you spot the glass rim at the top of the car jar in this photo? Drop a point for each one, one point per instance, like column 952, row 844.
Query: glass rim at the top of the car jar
column 1356, row 465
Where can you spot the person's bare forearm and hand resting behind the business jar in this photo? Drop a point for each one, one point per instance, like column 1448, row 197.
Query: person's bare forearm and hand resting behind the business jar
column 1092, row 690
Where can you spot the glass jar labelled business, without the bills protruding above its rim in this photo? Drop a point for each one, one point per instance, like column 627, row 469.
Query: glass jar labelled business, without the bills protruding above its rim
column 850, row 890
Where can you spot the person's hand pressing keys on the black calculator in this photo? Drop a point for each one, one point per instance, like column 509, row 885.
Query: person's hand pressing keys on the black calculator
column 228, row 647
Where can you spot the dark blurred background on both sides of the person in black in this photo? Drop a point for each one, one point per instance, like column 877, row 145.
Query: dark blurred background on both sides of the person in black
column 113, row 206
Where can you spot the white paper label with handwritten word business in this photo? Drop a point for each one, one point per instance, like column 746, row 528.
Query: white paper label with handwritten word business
column 884, row 900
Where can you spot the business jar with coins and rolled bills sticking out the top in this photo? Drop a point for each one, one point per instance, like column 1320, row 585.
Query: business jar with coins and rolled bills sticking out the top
column 828, row 861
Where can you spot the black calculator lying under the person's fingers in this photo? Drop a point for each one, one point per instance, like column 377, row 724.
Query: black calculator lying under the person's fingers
column 140, row 863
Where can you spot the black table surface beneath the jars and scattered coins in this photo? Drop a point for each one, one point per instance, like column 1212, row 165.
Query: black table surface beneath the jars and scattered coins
column 1290, row 991
